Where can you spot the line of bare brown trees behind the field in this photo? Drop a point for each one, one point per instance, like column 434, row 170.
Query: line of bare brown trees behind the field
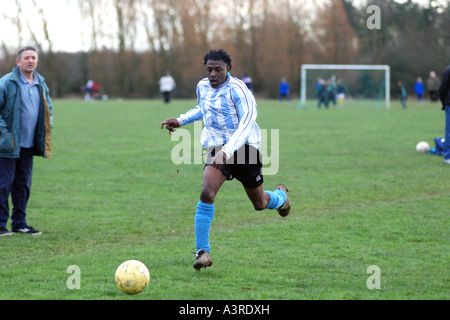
column 268, row 39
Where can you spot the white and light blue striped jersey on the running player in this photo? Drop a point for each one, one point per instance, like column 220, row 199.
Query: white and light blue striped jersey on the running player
column 229, row 114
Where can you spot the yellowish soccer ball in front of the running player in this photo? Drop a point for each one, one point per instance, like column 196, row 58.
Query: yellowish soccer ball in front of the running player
column 132, row 277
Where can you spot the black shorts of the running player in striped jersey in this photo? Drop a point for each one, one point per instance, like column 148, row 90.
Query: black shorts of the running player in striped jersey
column 245, row 165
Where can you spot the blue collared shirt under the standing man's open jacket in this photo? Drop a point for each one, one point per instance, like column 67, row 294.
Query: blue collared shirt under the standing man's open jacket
column 30, row 111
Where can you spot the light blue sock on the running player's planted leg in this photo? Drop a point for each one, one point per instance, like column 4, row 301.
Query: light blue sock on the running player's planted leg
column 203, row 218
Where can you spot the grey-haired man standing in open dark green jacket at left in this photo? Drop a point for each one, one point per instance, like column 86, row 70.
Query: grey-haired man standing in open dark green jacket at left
column 25, row 131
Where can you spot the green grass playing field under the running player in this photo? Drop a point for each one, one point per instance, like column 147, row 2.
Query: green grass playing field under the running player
column 361, row 196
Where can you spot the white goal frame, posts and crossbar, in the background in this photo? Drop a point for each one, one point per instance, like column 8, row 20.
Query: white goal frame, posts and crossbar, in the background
column 306, row 67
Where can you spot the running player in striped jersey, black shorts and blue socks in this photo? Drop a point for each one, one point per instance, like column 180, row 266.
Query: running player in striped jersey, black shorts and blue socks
column 232, row 138
